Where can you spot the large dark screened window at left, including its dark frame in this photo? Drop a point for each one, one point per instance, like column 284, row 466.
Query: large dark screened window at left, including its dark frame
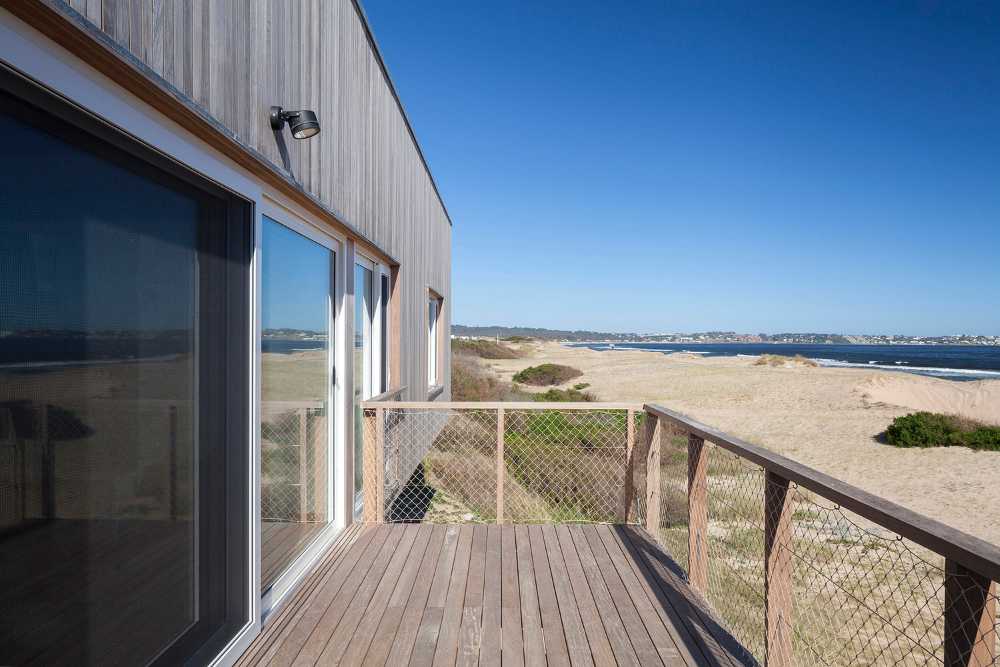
column 124, row 367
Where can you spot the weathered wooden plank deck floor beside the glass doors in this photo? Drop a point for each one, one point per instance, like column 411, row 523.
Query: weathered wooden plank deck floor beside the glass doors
column 434, row 594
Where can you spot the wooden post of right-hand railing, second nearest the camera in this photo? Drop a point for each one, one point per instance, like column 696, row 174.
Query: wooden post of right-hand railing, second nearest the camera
column 778, row 570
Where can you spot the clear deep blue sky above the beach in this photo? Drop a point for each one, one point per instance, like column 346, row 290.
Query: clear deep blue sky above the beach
column 678, row 166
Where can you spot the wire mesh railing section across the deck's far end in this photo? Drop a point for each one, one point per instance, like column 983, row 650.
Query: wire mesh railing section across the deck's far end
column 461, row 463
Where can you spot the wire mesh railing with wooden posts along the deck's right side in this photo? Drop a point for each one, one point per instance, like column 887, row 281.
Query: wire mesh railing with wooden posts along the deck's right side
column 802, row 569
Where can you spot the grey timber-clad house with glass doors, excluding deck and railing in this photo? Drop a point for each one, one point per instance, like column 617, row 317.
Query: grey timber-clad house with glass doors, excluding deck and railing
column 218, row 236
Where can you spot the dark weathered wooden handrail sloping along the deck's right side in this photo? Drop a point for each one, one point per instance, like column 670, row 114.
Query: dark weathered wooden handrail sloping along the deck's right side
column 972, row 552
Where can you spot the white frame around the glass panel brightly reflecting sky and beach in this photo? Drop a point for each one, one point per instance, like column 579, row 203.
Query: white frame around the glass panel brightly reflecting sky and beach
column 299, row 222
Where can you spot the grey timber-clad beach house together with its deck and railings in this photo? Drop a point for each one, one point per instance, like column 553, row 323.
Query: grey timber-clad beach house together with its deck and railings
column 226, row 433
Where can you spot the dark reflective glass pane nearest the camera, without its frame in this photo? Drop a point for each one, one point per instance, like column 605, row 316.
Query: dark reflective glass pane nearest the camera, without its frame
column 99, row 359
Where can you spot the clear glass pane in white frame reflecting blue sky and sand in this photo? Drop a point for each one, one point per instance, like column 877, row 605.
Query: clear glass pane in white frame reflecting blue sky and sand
column 296, row 391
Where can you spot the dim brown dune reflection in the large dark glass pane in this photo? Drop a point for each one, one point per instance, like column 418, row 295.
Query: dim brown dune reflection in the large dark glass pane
column 101, row 442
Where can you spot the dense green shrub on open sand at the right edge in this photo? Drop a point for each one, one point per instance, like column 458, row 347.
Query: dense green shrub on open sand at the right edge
column 928, row 429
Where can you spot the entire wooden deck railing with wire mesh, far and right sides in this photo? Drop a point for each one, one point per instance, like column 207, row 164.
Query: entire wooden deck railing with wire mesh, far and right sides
column 800, row 566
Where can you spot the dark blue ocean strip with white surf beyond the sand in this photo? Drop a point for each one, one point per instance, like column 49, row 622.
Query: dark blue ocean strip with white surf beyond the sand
column 953, row 362
